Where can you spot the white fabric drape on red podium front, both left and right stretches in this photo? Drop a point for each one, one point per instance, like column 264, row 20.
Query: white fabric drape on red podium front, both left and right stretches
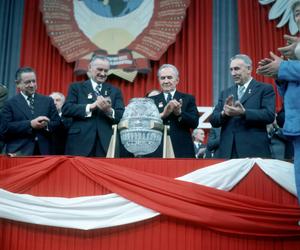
column 110, row 210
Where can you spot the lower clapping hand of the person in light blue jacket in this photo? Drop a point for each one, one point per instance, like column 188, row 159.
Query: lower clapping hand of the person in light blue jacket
column 269, row 66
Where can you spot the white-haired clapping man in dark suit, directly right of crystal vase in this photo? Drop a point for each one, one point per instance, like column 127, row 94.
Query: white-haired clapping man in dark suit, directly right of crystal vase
column 178, row 110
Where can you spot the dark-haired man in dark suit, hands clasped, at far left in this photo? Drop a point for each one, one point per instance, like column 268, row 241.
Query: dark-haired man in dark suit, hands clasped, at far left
column 30, row 117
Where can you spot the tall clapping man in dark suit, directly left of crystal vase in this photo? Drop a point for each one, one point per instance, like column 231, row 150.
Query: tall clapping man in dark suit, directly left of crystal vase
column 94, row 106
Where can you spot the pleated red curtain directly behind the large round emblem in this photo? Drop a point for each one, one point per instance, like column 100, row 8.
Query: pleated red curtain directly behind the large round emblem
column 191, row 54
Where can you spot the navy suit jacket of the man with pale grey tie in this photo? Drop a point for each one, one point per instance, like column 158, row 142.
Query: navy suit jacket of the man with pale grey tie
column 248, row 132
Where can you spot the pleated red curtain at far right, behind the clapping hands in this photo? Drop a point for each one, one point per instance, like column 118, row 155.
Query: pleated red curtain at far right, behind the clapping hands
column 259, row 35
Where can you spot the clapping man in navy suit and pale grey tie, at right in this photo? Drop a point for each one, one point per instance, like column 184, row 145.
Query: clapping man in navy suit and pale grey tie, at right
column 243, row 122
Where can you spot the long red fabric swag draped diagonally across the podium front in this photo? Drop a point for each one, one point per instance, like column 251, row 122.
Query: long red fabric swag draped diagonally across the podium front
column 215, row 209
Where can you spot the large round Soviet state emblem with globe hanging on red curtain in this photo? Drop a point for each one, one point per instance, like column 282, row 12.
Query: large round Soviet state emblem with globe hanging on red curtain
column 129, row 32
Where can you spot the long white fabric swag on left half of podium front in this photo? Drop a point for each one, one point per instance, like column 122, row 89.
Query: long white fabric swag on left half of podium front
column 85, row 213
